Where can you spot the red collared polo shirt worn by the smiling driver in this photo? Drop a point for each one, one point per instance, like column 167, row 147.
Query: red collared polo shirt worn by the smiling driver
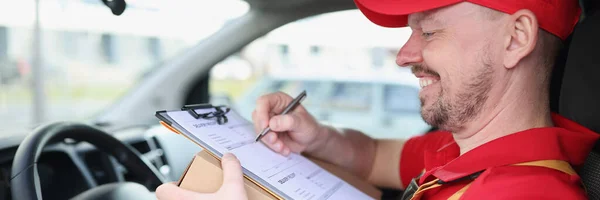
column 438, row 154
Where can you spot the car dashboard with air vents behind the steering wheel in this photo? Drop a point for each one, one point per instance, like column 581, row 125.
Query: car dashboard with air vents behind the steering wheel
column 66, row 169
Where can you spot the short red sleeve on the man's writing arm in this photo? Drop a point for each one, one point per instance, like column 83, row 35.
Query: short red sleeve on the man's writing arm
column 412, row 161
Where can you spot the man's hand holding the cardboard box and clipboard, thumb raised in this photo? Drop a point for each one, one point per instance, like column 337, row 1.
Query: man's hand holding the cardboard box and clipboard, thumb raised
column 232, row 188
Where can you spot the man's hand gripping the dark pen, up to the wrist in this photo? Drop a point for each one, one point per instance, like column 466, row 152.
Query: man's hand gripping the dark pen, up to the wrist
column 296, row 131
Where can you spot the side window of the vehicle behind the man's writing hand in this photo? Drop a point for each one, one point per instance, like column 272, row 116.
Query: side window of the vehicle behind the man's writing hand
column 346, row 64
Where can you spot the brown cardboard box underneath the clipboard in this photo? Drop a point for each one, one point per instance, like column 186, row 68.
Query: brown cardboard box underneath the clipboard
column 204, row 174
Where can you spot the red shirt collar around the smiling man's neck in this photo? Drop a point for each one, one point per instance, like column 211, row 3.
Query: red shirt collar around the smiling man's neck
column 567, row 141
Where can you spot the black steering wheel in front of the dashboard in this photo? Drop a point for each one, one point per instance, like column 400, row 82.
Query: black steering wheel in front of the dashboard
column 25, row 184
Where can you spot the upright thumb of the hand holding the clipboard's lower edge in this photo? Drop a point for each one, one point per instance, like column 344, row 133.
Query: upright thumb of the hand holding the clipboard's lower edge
column 232, row 171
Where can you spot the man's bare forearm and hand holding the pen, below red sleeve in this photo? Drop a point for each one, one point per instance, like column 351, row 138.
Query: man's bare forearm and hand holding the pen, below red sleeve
column 298, row 131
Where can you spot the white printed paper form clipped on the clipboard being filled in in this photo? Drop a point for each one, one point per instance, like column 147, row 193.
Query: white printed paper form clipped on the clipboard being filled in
column 295, row 176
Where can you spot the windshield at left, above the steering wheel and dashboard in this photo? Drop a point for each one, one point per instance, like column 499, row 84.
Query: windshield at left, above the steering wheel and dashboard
column 88, row 58
